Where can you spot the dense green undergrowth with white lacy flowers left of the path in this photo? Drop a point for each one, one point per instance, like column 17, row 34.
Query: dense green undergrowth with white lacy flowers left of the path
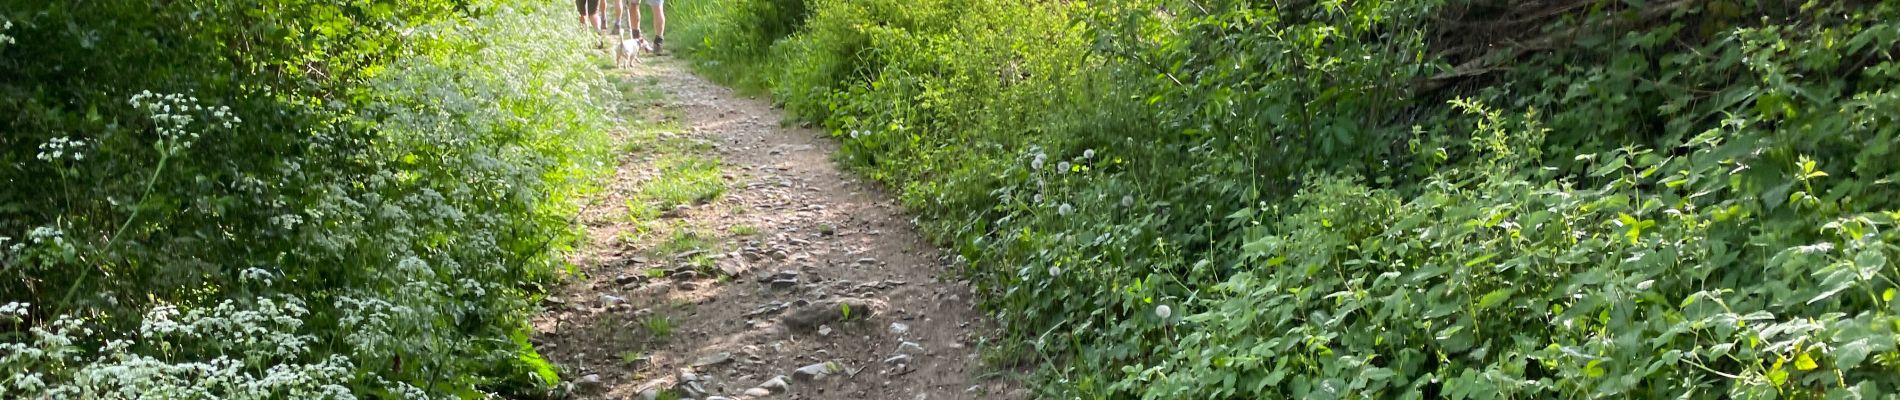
column 288, row 200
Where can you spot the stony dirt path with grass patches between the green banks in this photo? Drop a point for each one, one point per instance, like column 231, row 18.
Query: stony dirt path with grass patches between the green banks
column 797, row 274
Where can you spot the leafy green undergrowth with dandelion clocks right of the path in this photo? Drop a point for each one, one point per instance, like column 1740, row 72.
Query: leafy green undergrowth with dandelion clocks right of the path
column 1384, row 198
